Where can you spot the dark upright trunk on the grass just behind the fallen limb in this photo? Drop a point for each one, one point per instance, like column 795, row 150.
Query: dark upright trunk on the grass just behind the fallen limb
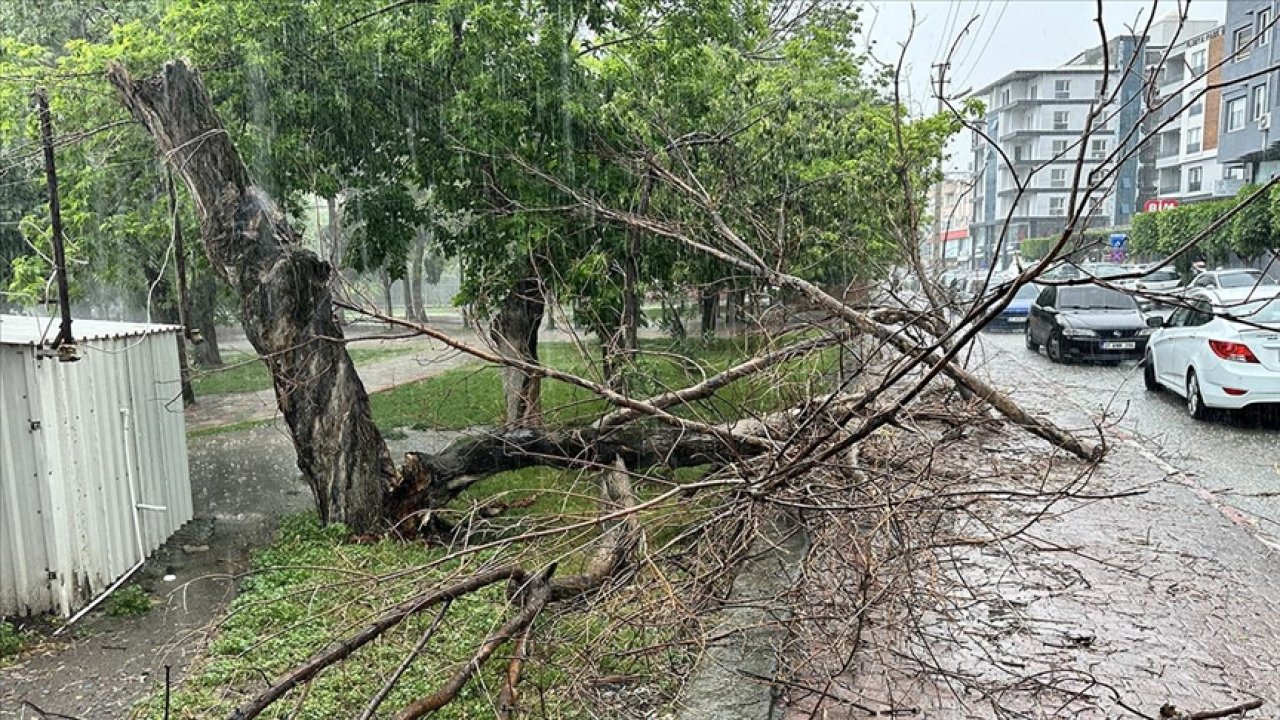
column 515, row 335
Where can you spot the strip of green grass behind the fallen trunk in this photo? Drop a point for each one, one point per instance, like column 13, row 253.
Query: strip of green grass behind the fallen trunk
column 473, row 397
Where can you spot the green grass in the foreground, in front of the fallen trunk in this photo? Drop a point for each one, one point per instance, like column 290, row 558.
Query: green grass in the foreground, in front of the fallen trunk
column 314, row 585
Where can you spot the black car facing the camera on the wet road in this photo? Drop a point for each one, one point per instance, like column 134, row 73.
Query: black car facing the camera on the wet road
column 1087, row 322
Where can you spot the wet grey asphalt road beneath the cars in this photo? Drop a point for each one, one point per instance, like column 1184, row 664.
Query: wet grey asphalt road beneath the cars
column 1236, row 458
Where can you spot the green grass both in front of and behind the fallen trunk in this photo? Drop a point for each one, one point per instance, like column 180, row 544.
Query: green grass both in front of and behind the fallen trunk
column 314, row 585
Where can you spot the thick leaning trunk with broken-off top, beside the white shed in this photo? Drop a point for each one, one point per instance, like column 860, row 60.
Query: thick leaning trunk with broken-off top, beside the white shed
column 285, row 293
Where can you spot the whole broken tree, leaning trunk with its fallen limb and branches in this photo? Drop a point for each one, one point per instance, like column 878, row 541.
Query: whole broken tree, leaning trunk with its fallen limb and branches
column 289, row 315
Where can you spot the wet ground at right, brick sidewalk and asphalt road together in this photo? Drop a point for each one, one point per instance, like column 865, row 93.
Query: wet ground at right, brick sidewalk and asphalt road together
column 1103, row 609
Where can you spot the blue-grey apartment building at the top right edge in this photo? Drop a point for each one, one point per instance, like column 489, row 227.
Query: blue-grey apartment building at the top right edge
column 1249, row 147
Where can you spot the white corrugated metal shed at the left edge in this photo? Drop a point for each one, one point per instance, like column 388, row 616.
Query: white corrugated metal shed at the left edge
column 93, row 459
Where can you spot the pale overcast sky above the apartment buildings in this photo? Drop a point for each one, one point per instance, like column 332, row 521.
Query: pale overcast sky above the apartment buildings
column 1008, row 35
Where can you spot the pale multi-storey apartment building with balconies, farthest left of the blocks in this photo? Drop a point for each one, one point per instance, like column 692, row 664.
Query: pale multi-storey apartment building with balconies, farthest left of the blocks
column 1026, row 156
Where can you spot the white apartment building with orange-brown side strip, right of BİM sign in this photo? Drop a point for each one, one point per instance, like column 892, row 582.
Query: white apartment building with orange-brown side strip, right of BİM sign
column 1187, row 120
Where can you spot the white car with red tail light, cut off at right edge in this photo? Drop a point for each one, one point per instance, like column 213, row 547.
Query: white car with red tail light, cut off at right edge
column 1219, row 352
